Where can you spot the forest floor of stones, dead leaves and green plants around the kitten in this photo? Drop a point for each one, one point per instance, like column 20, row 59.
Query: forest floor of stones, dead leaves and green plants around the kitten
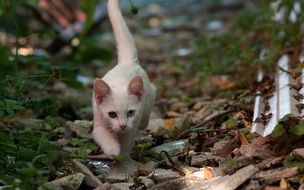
column 202, row 57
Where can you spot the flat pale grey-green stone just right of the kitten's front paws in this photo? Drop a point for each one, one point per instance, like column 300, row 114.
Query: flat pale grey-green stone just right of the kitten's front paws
column 173, row 148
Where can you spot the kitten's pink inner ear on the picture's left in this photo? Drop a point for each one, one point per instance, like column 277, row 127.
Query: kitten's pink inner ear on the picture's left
column 101, row 90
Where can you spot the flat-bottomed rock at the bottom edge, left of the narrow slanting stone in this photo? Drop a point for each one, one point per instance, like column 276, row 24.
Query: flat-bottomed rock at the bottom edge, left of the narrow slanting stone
column 68, row 182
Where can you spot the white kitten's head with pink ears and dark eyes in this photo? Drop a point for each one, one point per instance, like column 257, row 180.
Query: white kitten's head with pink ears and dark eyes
column 120, row 107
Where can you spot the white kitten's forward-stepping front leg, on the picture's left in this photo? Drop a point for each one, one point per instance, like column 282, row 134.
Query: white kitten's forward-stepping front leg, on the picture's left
column 106, row 140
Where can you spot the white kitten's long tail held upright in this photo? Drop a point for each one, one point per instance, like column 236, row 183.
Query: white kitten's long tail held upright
column 125, row 43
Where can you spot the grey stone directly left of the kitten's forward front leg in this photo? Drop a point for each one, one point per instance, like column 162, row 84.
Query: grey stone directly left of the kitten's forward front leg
column 82, row 128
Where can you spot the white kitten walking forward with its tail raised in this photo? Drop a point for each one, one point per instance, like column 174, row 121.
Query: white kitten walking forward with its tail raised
column 123, row 98
